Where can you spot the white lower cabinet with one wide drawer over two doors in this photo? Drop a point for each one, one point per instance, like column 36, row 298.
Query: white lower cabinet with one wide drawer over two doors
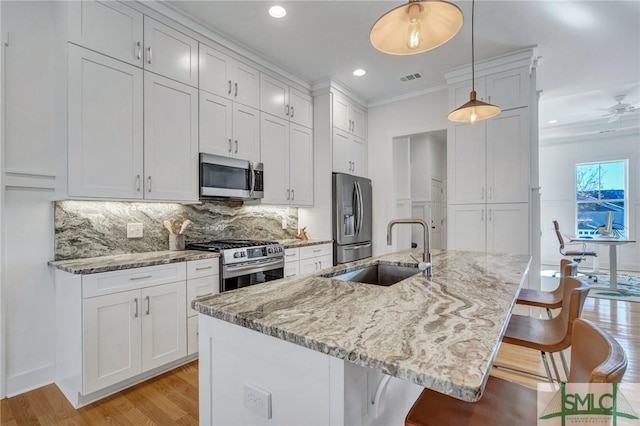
column 114, row 329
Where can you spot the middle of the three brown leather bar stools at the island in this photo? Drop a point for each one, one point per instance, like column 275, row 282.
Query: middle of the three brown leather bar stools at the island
column 552, row 335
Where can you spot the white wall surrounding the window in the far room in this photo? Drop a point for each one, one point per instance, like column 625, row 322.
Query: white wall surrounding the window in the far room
column 557, row 180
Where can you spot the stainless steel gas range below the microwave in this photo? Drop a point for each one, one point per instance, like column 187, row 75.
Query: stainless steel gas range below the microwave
column 245, row 262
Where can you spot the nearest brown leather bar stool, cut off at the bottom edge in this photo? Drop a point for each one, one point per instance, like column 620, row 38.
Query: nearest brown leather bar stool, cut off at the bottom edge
column 596, row 357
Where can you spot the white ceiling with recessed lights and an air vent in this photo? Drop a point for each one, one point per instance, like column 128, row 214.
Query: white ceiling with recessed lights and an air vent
column 590, row 49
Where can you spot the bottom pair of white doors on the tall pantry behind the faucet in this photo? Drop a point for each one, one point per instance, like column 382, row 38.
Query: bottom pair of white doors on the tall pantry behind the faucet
column 492, row 228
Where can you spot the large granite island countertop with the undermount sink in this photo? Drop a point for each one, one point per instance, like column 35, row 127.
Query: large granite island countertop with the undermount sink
column 441, row 333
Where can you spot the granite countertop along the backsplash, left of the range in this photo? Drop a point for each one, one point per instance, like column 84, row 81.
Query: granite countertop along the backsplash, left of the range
column 92, row 265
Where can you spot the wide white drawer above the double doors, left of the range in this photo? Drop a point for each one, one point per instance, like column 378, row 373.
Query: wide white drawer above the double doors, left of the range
column 130, row 279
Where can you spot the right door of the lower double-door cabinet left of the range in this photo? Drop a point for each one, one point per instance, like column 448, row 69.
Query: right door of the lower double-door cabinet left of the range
column 164, row 324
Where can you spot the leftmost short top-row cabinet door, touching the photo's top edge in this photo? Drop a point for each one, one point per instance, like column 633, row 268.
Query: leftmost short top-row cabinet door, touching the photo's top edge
column 108, row 27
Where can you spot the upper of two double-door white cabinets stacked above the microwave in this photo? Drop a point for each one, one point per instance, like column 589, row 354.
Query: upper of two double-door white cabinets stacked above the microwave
column 225, row 76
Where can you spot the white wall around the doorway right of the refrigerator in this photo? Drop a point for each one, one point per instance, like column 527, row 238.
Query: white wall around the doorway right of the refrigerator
column 412, row 116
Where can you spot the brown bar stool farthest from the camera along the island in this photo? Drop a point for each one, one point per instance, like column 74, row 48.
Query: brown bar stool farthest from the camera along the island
column 550, row 300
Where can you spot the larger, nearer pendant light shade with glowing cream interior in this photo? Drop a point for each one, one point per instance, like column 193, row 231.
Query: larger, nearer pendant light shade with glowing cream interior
column 416, row 27
